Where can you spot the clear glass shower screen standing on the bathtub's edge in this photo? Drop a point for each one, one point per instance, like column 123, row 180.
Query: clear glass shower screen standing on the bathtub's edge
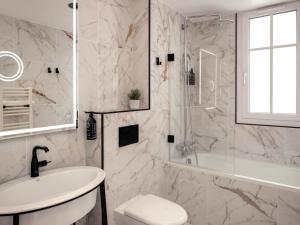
column 202, row 111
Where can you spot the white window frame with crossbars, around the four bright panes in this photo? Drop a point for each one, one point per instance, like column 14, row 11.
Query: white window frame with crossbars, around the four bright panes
column 243, row 115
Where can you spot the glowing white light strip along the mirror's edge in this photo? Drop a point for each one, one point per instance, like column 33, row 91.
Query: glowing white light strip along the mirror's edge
column 57, row 128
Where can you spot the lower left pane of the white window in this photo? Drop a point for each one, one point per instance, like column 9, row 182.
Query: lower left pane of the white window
column 260, row 81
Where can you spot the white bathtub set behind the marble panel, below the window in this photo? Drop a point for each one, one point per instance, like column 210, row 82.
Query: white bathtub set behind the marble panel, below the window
column 264, row 173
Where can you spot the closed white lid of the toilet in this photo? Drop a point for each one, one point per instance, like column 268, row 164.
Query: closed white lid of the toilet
column 153, row 210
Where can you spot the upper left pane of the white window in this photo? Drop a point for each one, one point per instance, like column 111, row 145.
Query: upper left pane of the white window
column 260, row 32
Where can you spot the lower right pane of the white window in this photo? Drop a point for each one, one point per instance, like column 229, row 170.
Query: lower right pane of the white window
column 284, row 80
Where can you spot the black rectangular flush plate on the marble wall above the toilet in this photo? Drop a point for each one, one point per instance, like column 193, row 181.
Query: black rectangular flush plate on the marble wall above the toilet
column 128, row 135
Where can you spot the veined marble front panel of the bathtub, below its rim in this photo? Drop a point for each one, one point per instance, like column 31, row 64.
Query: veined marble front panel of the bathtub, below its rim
column 214, row 200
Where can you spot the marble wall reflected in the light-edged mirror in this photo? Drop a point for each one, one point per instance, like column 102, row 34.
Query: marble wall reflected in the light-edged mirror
column 41, row 47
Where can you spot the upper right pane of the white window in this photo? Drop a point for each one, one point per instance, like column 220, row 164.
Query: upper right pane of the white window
column 284, row 30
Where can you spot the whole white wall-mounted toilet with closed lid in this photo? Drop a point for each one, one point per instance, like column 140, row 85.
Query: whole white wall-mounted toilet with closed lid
column 150, row 210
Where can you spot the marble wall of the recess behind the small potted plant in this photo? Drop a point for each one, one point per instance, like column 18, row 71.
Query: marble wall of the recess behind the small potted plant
column 123, row 52
